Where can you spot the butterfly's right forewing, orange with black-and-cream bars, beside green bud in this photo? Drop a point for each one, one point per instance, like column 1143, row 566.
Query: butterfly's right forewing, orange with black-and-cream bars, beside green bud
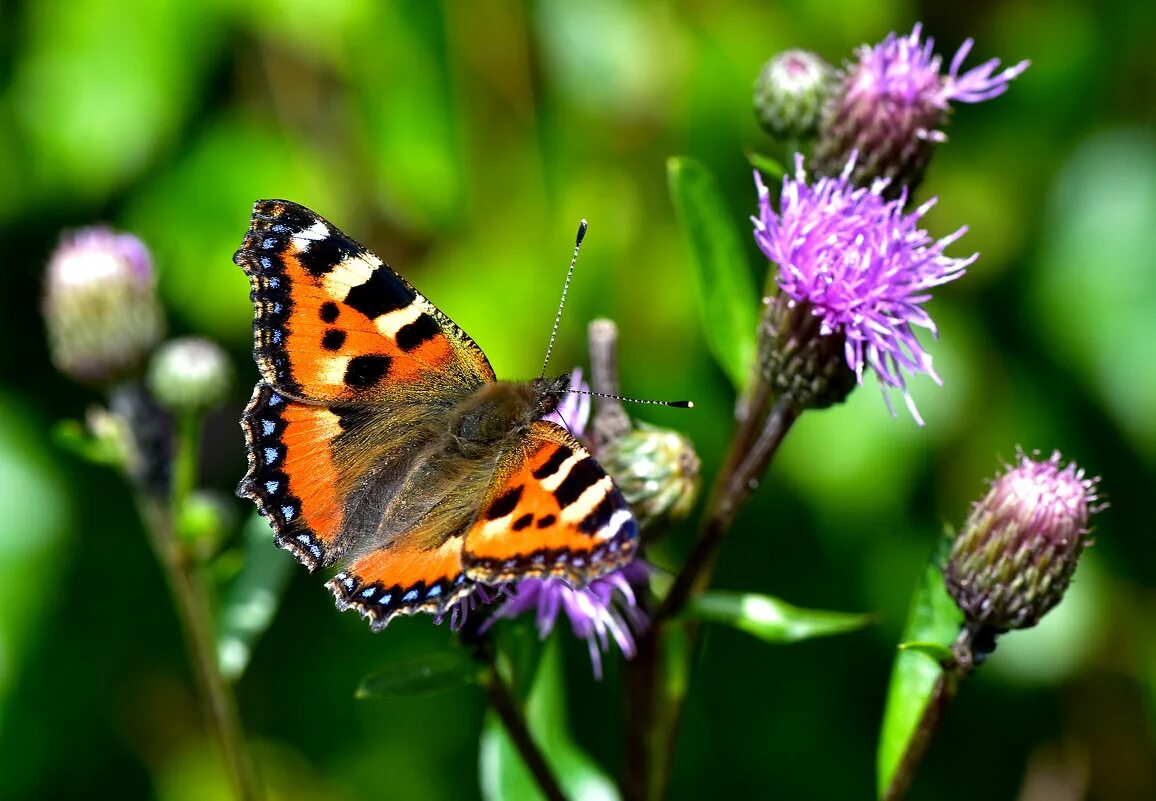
column 552, row 513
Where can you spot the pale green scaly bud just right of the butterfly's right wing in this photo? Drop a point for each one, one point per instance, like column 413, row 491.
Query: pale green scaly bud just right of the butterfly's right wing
column 657, row 471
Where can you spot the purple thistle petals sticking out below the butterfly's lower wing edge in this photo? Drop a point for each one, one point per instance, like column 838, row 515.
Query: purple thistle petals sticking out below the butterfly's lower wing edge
column 605, row 610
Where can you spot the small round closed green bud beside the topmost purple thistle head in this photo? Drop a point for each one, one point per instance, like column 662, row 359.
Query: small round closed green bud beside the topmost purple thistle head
column 790, row 94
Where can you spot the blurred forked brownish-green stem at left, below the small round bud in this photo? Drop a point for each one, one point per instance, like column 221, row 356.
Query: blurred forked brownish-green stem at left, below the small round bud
column 194, row 610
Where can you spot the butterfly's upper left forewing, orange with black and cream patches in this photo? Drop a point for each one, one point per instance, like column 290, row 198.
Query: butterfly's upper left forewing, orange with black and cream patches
column 335, row 324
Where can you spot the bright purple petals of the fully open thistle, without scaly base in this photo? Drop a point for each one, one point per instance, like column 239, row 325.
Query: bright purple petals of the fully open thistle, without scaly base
column 862, row 266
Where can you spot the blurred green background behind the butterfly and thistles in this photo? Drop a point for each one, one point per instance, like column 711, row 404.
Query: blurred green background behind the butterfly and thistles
column 463, row 142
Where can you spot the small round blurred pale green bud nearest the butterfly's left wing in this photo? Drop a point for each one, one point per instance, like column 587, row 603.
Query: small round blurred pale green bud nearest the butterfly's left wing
column 190, row 376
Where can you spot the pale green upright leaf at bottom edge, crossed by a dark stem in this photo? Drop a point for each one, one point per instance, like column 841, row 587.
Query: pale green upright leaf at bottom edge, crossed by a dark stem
column 505, row 776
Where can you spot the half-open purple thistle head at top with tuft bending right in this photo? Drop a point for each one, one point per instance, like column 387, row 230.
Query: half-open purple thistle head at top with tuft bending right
column 892, row 105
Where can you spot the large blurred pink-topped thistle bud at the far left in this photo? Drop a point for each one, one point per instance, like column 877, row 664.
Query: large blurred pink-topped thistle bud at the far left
column 100, row 306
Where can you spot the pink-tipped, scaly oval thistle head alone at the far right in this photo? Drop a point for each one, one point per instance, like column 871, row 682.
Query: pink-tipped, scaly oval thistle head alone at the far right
column 1016, row 557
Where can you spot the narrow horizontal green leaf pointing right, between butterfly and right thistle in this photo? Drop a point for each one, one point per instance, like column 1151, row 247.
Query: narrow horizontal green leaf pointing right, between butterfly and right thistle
column 774, row 620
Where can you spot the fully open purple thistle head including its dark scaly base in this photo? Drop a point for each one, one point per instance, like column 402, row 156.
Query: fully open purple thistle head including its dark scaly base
column 854, row 271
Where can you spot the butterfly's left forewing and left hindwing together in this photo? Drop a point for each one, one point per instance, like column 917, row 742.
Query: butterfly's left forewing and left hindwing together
column 357, row 367
